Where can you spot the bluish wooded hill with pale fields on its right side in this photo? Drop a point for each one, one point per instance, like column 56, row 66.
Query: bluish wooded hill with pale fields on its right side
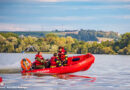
column 93, row 35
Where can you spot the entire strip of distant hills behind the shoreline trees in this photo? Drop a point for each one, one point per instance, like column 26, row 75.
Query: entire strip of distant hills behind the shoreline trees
column 84, row 35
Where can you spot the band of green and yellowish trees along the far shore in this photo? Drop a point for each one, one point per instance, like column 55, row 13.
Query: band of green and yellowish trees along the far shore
column 11, row 42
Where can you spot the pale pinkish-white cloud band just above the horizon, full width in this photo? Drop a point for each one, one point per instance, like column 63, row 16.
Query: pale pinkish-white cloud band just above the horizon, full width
column 121, row 28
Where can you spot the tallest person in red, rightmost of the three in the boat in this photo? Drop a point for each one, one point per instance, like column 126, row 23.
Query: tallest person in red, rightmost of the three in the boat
column 62, row 54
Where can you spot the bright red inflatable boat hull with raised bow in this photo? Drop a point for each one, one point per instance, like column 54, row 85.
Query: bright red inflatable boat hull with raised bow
column 75, row 64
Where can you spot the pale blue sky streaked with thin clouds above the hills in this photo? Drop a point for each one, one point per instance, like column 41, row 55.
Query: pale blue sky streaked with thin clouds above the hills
column 47, row 15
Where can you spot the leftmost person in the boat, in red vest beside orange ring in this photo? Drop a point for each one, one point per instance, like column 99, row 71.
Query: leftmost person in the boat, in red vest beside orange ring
column 39, row 61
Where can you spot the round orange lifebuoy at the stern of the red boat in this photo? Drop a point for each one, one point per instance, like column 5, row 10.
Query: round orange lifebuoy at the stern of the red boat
column 26, row 64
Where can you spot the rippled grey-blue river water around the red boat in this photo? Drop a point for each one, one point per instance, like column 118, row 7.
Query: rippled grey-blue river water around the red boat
column 109, row 72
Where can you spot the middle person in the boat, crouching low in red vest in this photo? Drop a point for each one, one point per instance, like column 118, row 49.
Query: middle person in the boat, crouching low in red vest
column 54, row 61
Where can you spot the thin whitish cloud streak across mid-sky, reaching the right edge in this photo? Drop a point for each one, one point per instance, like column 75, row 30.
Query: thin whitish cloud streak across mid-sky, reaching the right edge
column 85, row 18
